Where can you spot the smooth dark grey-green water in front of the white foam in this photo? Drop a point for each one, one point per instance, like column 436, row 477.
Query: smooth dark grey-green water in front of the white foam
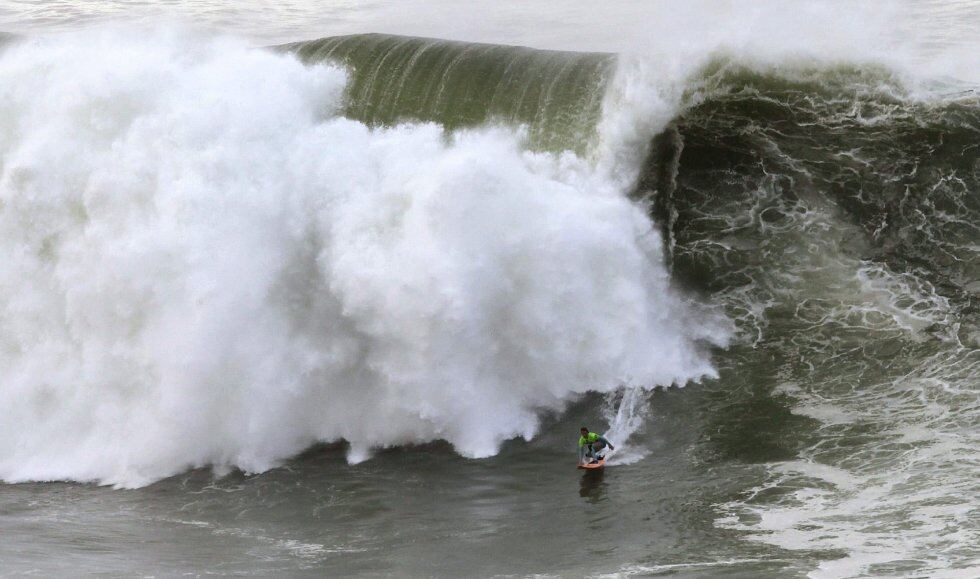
column 415, row 511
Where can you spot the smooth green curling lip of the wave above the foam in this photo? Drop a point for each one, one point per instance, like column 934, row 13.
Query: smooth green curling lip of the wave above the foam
column 556, row 95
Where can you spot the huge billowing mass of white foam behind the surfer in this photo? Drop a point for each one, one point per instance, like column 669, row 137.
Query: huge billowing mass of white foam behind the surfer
column 208, row 263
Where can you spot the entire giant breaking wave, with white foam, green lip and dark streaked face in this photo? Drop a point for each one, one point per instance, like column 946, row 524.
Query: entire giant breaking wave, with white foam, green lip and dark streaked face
column 218, row 256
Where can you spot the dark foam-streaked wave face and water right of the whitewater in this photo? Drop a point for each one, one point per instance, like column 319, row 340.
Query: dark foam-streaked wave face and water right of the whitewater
column 837, row 219
